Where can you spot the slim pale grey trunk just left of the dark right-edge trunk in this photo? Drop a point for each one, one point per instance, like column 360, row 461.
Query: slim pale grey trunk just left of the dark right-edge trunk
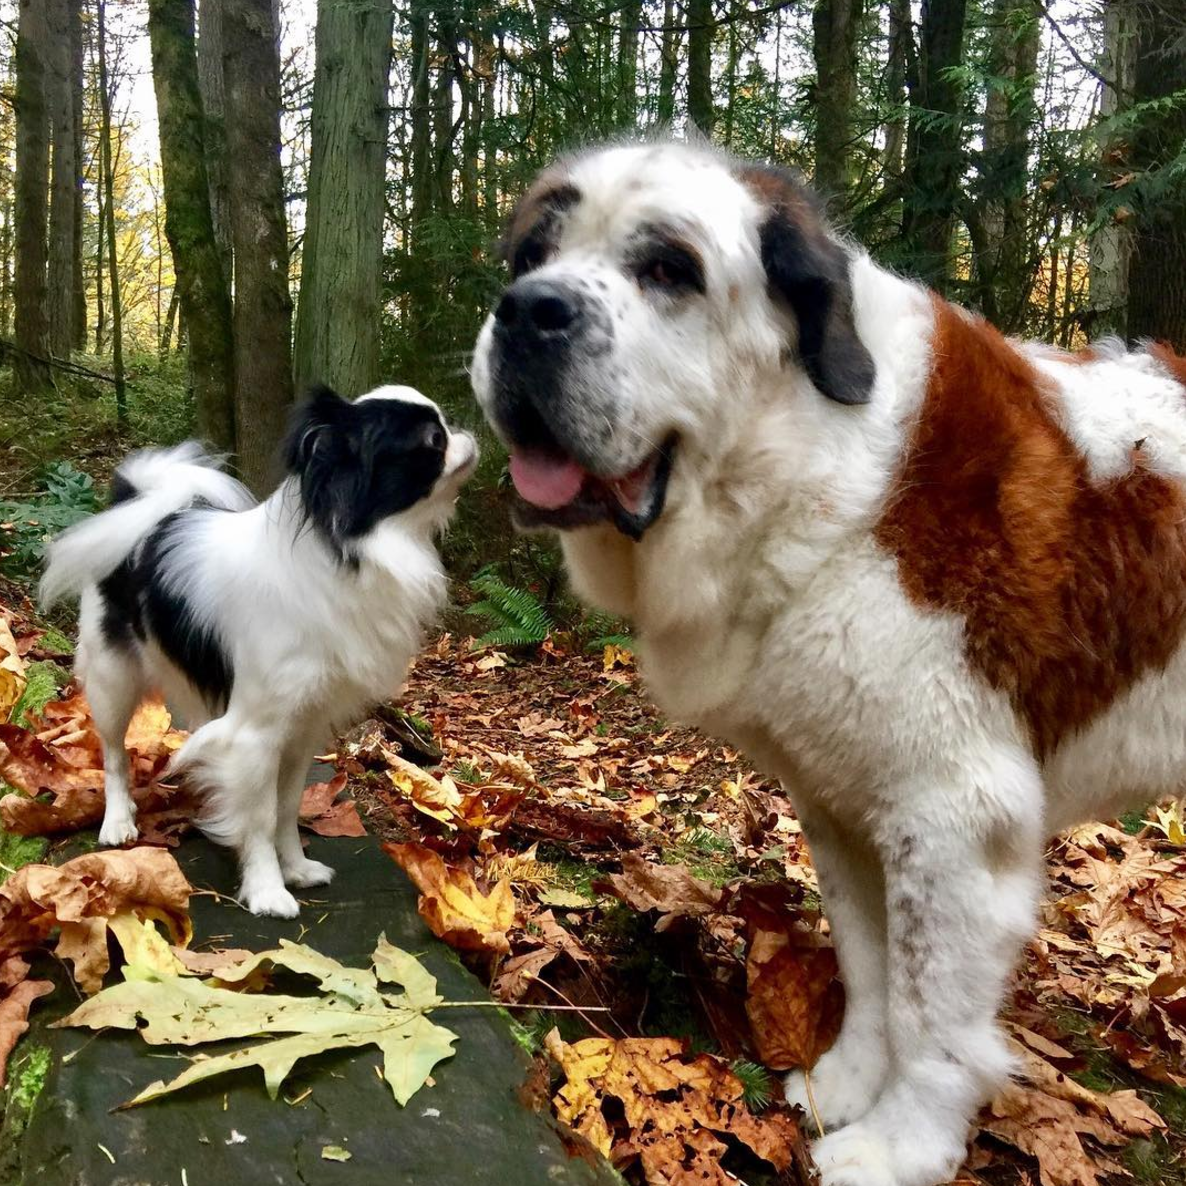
column 1112, row 245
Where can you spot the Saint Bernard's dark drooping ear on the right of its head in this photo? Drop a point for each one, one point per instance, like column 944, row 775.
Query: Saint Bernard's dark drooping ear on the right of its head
column 809, row 273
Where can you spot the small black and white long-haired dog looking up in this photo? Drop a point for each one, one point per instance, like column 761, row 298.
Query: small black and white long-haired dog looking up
column 266, row 624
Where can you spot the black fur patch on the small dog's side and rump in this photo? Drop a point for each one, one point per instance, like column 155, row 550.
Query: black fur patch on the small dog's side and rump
column 137, row 604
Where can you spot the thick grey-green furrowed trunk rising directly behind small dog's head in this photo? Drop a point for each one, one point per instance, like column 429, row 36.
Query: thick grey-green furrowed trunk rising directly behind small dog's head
column 342, row 264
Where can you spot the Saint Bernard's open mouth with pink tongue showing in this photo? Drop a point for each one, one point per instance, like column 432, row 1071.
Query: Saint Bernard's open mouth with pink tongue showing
column 557, row 492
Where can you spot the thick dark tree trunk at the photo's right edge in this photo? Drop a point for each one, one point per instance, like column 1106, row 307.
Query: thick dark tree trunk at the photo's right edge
column 1157, row 283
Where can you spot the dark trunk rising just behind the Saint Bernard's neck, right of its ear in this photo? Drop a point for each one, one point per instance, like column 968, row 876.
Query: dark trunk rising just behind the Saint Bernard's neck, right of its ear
column 934, row 155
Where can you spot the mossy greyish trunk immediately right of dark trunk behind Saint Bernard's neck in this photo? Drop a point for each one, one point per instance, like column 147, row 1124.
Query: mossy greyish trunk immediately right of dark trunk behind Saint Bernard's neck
column 1004, row 267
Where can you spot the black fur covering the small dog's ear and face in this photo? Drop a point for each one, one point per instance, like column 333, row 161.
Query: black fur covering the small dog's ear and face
column 359, row 464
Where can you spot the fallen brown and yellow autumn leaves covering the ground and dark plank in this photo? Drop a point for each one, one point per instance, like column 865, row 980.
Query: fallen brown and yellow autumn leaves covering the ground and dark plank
column 581, row 852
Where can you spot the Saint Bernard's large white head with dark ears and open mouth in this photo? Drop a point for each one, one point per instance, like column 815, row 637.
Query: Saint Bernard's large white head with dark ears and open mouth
column 656, row 290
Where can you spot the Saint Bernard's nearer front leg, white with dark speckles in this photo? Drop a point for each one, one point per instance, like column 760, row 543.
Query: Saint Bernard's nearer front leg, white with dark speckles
column 962, row 860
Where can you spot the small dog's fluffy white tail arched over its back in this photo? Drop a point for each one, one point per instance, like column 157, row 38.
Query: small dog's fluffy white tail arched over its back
column 148, row 488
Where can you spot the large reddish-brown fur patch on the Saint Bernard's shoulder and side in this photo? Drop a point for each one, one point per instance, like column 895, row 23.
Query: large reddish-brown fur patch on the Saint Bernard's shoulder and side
column 1070, row 590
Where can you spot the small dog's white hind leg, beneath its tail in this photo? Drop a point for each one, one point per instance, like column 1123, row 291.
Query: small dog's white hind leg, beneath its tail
column 114, row 685
